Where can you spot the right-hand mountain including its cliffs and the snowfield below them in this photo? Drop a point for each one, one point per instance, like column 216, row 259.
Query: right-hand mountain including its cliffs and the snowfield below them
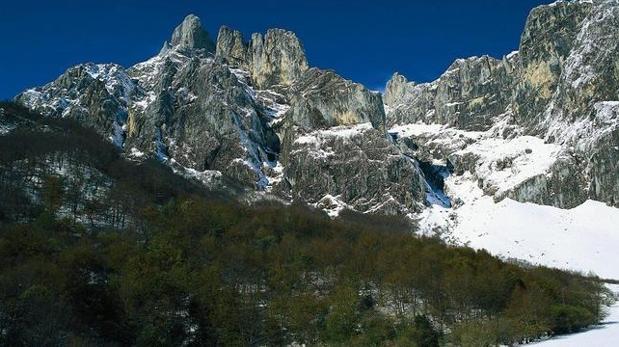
column 532, row 141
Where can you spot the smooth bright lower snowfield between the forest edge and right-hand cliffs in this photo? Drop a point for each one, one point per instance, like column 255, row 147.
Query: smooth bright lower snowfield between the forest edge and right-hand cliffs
column 584, row 238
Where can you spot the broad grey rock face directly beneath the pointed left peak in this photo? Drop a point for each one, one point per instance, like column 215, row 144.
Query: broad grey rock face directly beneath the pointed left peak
column 205, row 118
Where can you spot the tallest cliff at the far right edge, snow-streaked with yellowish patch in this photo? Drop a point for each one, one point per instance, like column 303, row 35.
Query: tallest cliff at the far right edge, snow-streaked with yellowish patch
column 569, row 63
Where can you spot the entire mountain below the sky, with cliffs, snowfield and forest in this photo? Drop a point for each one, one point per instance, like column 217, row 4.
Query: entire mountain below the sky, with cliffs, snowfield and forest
column 166, row 202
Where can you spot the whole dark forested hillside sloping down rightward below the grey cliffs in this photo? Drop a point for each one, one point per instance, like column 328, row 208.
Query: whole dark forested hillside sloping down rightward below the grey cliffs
column 97, row 250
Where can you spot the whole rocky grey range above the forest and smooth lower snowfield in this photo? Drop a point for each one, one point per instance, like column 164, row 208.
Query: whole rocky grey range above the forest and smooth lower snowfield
column 539, row 125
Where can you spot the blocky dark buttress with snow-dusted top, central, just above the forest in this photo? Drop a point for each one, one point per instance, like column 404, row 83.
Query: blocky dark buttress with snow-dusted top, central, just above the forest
column 356, row 164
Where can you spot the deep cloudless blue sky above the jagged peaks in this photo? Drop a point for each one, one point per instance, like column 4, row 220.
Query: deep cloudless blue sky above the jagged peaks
column 363, row 40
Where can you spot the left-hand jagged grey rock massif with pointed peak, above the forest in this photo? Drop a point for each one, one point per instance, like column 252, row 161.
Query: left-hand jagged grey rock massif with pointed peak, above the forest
column 252, row 111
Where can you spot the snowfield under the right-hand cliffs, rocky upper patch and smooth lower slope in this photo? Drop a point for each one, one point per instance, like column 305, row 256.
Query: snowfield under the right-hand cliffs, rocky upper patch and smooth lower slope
column 486, row 173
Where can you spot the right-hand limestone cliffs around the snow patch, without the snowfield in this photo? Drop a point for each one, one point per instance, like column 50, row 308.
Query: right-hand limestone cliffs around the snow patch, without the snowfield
column 561, row 86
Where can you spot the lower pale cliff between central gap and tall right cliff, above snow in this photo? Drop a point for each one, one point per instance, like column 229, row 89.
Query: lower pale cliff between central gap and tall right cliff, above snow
column 468, row 95
